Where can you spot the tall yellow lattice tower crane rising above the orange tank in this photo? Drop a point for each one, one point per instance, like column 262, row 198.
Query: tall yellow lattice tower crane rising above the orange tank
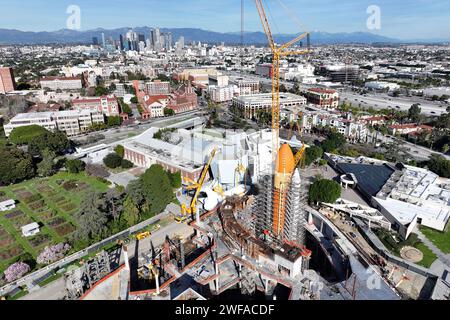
column 278, row 53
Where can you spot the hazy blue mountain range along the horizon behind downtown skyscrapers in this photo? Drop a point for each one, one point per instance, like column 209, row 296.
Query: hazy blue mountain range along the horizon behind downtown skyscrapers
column 65, row 36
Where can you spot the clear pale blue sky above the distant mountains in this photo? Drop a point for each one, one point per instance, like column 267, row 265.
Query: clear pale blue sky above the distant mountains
column 402, row 19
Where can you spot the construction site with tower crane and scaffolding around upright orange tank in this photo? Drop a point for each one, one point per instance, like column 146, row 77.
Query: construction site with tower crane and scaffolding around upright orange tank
column 252, row 235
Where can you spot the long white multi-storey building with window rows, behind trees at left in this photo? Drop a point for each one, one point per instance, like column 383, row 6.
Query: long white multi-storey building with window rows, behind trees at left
column 72, row 122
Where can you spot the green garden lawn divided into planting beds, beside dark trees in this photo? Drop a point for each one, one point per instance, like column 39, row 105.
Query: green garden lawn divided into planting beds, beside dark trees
column 52, row 203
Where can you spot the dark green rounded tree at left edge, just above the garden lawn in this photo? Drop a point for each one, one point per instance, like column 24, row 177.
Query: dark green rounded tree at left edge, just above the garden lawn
column 15, row 165
